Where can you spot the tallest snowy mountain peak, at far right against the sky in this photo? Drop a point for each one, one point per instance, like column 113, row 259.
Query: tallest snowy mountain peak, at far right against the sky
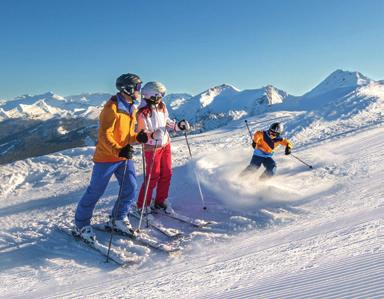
column 340, row 79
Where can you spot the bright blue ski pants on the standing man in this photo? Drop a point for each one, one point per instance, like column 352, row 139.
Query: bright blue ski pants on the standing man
column 101, row 174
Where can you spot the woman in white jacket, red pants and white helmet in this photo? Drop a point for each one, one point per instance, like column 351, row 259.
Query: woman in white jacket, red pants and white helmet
column 153, row 118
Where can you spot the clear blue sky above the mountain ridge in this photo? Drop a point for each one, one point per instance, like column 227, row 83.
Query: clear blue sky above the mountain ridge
column 75, row 46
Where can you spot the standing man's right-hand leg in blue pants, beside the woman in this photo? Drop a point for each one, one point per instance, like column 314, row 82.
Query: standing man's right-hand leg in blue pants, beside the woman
column 128, row 191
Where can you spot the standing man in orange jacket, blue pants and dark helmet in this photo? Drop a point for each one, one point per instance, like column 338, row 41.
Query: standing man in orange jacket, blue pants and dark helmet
column 113, row 155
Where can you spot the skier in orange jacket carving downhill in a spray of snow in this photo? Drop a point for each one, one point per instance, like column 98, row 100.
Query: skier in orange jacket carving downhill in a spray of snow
column 264, row 143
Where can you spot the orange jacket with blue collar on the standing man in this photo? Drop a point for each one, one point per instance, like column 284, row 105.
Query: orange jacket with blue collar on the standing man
column 117, row 123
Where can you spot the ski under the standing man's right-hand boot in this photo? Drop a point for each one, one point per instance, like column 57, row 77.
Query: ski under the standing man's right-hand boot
column 140, row 238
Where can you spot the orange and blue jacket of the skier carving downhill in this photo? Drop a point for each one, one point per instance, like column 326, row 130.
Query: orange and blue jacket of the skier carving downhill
column 265, row 145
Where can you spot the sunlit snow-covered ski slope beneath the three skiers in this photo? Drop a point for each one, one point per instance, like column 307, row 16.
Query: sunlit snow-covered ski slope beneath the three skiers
column 302, row 234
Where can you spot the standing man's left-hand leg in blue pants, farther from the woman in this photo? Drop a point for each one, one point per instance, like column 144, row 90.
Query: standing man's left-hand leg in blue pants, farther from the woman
column 101, row 175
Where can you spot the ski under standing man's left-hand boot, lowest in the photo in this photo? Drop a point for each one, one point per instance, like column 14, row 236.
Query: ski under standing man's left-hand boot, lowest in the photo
column 118, row 258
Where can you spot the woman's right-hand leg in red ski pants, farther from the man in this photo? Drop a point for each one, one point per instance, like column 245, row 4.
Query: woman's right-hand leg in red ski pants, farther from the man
column 165, row 175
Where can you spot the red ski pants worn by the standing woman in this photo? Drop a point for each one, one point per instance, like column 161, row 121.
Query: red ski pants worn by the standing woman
column 160, row 177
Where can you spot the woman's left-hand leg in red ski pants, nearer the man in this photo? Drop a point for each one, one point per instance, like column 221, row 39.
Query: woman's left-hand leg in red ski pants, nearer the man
column 154, row 176
